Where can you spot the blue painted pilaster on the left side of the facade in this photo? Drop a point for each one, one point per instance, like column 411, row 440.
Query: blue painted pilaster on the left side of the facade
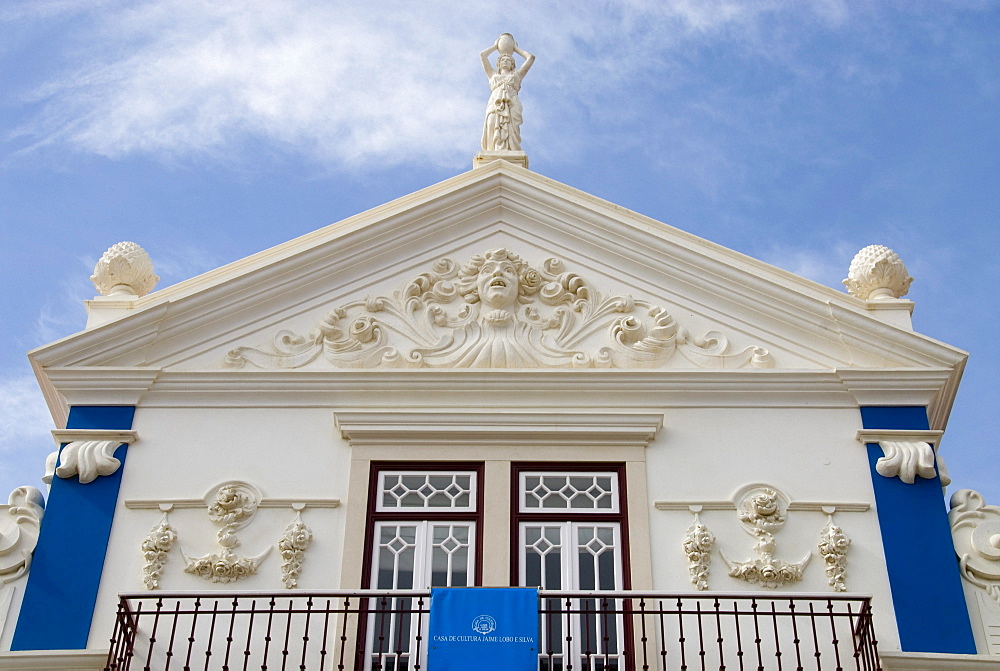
column 66, row 570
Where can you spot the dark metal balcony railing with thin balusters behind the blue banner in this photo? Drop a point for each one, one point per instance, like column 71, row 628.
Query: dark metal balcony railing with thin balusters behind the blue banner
column 578, row 631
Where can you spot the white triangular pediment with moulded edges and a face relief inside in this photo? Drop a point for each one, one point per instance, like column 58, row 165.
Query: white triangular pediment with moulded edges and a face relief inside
column 597, row 286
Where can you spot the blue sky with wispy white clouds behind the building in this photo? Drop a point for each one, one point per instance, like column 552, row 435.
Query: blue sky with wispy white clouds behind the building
column 794, row 131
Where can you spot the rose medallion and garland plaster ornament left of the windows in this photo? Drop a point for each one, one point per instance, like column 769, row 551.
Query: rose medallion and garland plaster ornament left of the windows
column 233, row 506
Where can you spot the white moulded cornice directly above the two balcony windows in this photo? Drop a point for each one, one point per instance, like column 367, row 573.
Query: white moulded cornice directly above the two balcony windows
column 380, row 427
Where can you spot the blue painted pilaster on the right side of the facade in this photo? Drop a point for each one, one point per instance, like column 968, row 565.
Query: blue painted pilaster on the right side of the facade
column 931, row 612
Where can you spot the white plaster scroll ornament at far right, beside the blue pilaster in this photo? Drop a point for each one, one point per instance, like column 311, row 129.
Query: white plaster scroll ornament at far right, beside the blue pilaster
column 975, row 529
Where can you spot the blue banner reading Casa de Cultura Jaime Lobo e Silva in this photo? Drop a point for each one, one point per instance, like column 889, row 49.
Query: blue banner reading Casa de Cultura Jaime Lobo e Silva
column 483, row 628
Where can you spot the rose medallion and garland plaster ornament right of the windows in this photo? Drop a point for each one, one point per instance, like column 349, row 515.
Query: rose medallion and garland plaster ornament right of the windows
column 763, row 512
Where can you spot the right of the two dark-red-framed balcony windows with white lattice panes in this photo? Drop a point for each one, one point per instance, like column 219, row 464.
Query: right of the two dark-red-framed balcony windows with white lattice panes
column 571, row 528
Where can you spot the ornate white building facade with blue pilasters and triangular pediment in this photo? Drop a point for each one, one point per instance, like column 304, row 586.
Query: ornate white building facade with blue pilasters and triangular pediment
column 501, row 381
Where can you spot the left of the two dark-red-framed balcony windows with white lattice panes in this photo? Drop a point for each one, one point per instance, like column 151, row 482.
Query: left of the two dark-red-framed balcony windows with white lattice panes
column 422, row 534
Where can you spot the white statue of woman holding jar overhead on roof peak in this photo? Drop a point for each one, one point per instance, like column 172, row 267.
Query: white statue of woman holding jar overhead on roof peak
column 502, row 130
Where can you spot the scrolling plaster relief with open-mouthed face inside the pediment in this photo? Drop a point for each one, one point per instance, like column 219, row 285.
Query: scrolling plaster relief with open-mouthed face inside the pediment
column 496, row 311
